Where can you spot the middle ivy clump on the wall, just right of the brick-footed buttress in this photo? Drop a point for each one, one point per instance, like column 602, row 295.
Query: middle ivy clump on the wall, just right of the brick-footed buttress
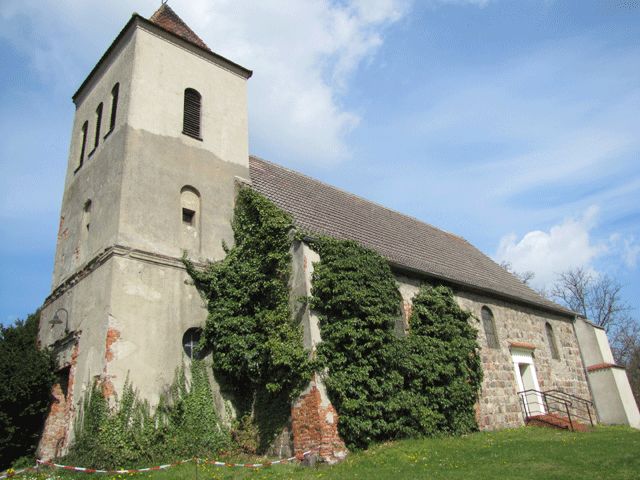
column 355, row 295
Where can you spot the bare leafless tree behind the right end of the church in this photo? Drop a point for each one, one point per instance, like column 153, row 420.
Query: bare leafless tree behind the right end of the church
column 599, row 299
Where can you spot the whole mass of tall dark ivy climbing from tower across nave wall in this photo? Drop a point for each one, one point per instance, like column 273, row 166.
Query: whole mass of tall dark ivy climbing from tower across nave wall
column 382, row 386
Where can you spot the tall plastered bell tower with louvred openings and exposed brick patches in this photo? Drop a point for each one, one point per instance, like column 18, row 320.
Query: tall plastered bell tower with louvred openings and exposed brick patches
column 159, row 139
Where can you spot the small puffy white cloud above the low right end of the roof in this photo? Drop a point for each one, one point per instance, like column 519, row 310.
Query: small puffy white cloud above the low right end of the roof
column 565, row 246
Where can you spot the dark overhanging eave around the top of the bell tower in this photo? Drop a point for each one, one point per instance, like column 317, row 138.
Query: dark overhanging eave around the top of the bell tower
column 136, row 20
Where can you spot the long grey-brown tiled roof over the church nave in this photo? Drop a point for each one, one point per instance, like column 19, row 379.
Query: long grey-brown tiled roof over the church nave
column 405, row 241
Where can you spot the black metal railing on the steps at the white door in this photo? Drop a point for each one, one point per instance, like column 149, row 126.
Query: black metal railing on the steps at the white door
column 536, row 402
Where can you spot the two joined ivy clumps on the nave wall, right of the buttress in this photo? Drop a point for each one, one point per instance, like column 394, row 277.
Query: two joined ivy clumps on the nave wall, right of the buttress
column 382, row 386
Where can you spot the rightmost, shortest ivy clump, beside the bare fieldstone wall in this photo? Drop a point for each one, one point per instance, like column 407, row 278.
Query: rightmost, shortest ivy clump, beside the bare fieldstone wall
column 440, row 363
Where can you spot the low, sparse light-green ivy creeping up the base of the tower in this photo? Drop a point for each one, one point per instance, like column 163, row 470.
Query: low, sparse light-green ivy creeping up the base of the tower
column 184, row 424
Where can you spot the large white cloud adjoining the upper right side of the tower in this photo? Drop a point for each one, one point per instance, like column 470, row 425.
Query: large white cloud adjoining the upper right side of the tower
column 302, row 68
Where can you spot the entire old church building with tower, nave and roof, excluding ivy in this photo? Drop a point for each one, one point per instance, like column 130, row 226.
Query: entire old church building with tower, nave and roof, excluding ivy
column 159, row 149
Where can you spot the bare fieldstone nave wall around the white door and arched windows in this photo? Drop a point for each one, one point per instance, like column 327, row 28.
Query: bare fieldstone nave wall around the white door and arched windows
column 516, row 325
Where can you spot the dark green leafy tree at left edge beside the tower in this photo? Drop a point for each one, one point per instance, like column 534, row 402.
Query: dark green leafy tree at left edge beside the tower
column 26, row 378
